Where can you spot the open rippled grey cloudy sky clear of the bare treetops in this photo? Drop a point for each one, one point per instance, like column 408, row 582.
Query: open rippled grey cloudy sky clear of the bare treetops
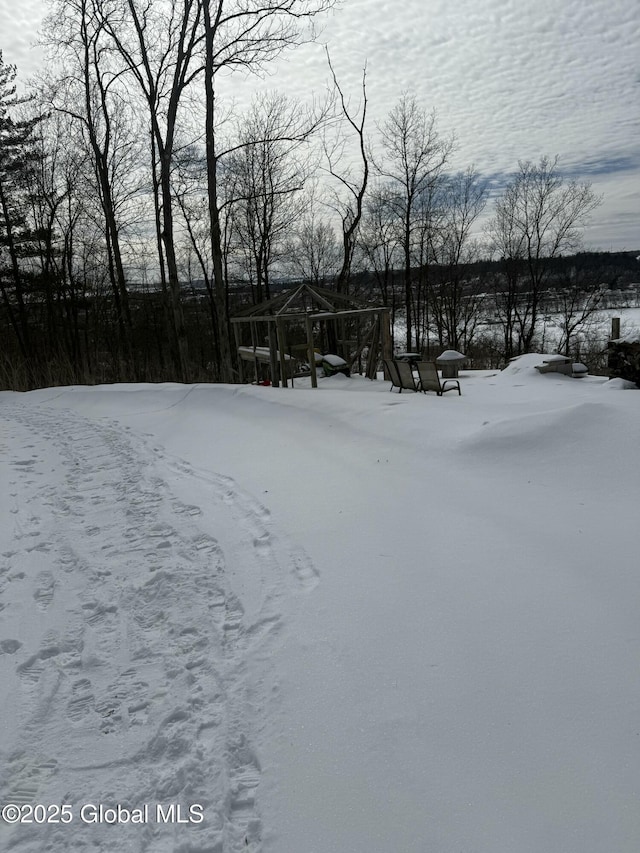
column 512, row 79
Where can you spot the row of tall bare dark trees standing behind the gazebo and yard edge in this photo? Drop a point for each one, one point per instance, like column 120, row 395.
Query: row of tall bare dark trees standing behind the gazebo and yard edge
column 138, row 213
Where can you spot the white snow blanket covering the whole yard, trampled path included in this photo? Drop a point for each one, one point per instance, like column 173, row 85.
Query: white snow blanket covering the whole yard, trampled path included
column 332, row 621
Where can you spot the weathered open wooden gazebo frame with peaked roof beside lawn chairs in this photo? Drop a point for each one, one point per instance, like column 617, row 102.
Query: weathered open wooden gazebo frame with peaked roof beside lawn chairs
column 315, row 309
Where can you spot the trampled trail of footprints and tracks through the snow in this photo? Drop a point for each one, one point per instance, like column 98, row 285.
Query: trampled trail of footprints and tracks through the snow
column 125, row 650
